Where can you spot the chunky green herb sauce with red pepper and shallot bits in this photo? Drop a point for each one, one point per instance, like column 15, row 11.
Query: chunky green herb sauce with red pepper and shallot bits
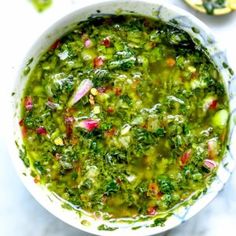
column 124, row 116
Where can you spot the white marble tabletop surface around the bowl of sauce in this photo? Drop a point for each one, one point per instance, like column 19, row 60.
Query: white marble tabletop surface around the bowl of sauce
column 20, row 214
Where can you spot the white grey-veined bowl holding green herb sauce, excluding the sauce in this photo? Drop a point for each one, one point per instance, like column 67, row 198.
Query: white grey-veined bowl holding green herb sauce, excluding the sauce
column 156, row 9
